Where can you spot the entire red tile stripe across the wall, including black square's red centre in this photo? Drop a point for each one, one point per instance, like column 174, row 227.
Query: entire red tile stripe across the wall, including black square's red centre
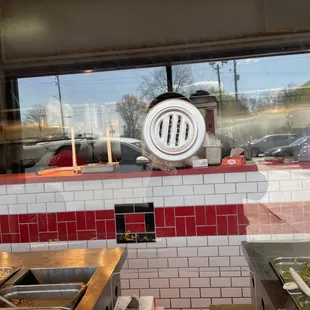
column 170, row 222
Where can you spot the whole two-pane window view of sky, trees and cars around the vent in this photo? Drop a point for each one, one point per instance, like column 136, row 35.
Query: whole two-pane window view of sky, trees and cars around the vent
column 255, row 98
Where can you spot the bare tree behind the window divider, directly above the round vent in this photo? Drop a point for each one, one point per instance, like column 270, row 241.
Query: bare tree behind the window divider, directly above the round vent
column 156, row 84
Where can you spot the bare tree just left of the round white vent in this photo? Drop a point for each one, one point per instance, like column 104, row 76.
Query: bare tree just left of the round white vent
column 132, row 111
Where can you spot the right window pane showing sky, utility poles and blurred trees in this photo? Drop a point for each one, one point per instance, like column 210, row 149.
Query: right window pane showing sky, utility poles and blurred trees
column 255, row 96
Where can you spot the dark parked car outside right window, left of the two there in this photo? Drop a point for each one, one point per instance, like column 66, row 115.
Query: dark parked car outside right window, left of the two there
column 259, row 146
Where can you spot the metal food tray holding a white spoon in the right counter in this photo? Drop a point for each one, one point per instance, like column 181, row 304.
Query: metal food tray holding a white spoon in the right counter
column 281, row 266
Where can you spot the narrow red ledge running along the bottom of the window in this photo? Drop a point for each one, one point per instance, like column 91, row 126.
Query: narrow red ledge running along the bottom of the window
column 70, row 176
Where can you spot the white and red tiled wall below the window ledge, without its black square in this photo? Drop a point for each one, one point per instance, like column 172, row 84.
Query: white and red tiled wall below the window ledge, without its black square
column 183, row 272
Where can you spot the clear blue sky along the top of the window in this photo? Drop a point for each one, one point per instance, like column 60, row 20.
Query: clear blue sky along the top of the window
column 255, row 75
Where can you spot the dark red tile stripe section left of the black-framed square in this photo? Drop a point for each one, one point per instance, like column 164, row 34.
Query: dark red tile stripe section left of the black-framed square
column 64, row 226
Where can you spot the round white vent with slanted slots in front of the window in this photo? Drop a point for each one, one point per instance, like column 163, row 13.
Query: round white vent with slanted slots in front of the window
column 174, row 130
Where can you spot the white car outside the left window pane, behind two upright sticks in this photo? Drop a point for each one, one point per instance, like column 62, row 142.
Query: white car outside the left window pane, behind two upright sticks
column 58, row 154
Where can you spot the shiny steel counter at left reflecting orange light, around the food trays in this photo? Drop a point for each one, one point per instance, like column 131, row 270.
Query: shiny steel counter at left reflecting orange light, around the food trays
column 108, row 261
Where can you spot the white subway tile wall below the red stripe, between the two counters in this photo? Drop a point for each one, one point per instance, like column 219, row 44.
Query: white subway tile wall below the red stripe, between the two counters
column 179, row 273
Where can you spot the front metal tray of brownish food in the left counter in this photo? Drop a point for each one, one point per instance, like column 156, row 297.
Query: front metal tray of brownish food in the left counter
column 51, row 296
